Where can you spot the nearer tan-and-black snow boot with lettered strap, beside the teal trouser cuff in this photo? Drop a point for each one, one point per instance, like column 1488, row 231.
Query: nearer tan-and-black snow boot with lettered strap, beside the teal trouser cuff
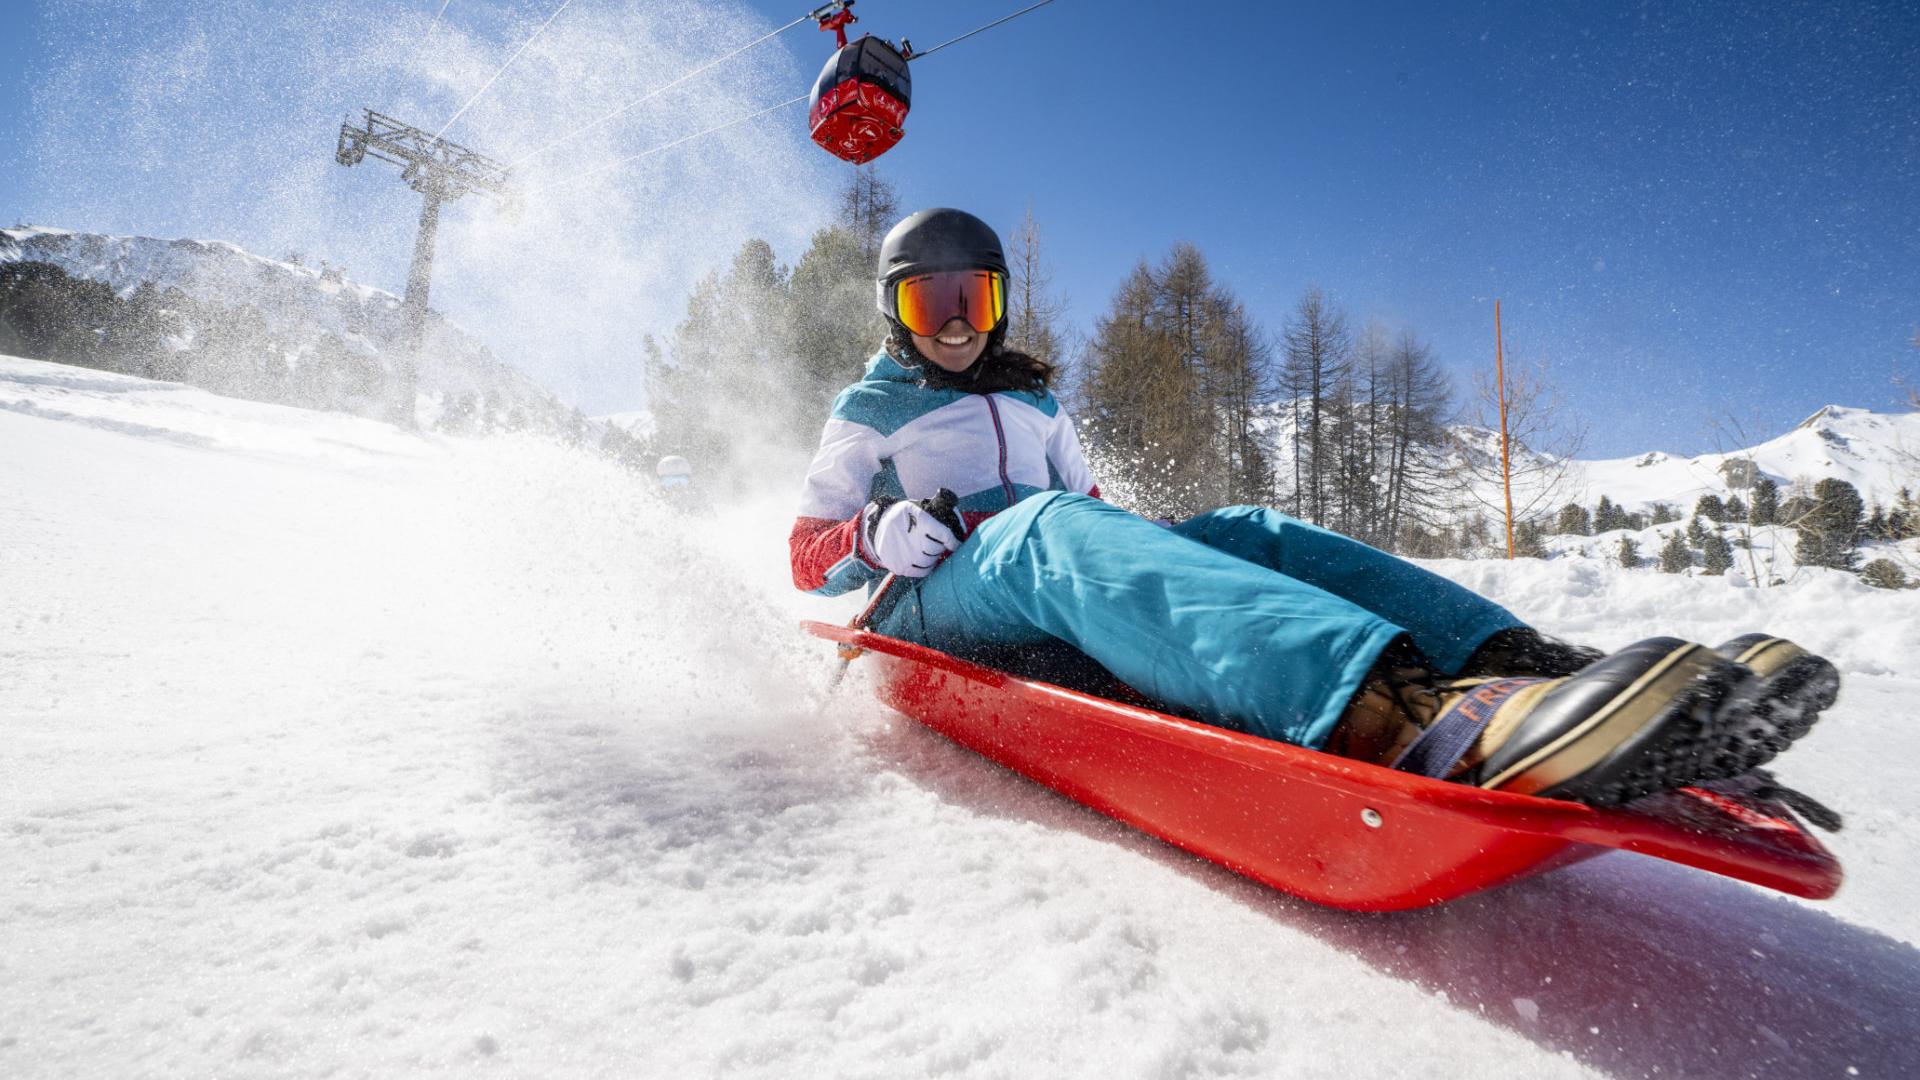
column 1635, row 724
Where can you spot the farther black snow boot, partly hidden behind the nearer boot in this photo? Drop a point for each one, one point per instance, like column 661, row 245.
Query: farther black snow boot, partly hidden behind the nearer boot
column 1796, row 687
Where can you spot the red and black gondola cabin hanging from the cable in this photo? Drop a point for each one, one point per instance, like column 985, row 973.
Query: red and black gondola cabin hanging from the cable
column 859, row 105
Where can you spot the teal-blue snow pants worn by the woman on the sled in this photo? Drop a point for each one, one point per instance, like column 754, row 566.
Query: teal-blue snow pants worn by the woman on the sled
column 1241, row 618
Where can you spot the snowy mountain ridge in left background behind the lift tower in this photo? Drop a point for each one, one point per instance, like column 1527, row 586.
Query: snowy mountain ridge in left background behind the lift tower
column 310, row 312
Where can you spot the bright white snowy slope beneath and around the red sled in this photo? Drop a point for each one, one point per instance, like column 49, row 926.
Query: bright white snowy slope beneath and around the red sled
column 343, row 752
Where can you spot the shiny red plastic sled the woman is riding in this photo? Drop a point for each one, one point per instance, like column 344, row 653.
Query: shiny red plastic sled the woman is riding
column 1328, row 829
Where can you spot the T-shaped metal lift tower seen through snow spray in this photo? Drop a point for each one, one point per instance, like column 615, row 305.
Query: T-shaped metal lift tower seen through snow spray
column 441, row 172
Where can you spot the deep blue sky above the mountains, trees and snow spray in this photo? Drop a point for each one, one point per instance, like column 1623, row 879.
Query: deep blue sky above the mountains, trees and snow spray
column 1689, row 210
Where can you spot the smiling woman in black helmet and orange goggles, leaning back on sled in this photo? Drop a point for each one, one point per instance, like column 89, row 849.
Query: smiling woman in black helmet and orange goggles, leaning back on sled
column 1243, row 618
